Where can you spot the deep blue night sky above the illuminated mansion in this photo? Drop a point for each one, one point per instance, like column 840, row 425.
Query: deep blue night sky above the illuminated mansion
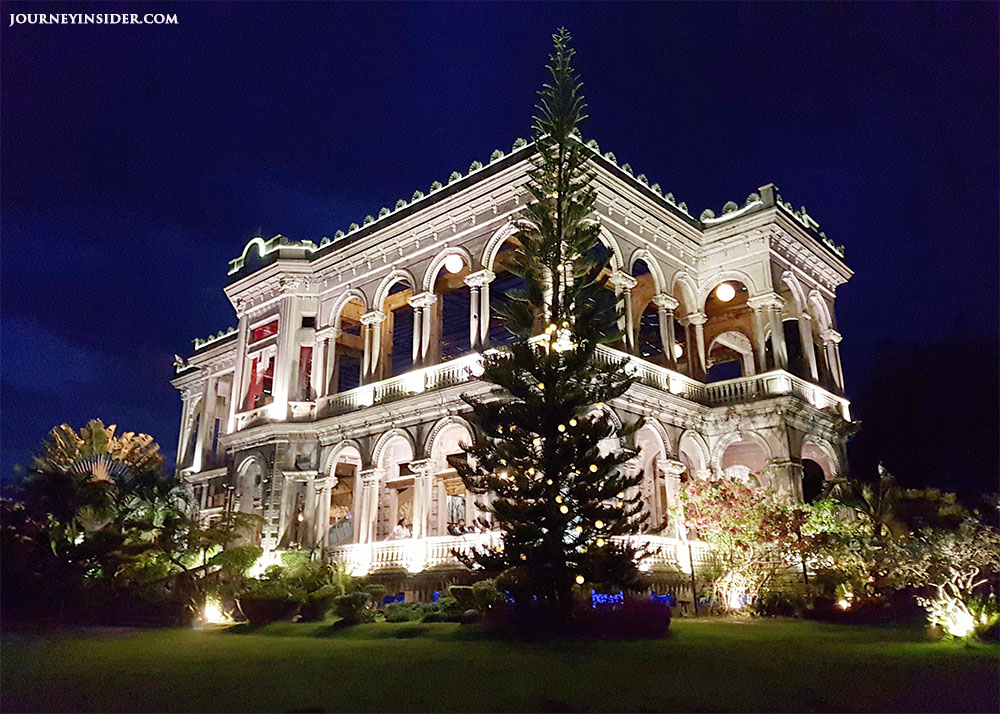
column 136, row 161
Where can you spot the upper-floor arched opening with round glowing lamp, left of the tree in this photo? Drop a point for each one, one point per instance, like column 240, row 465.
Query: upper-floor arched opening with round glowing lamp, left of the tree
column 450, row 329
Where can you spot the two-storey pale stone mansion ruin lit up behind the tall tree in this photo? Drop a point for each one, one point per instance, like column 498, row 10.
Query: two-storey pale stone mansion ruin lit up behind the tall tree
column 330, row 410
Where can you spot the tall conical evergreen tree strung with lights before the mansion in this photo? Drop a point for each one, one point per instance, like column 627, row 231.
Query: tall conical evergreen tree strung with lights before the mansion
column 559, row 501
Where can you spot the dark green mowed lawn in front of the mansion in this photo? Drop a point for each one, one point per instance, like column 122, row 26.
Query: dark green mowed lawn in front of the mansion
column 705, row 665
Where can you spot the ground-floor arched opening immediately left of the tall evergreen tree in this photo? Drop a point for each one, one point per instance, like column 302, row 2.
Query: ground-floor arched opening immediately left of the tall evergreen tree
column 453, row 507
